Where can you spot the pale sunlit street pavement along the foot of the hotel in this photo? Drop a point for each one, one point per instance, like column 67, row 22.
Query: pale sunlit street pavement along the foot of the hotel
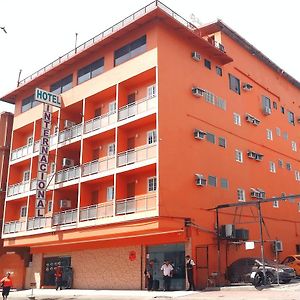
column 281, row 292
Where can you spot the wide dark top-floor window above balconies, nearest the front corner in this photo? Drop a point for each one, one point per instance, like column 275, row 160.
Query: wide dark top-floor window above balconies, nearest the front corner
column 130, row 50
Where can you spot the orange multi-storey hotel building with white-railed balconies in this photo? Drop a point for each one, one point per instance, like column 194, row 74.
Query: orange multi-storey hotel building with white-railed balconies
column 161, row 121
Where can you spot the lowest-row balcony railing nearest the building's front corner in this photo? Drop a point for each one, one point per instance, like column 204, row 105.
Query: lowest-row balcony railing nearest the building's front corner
column 136, row 204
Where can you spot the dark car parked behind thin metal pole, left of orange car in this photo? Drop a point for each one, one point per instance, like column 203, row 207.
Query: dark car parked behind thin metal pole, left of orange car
column 249, row 269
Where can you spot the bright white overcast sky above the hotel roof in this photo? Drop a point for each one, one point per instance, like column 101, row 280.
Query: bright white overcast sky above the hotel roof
column 39, row 31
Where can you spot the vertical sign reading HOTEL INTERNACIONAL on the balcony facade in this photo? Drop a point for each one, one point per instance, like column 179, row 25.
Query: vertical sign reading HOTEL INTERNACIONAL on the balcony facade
column 48, row 100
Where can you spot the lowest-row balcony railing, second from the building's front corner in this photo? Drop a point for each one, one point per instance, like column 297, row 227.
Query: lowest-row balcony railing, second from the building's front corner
column 93, row 212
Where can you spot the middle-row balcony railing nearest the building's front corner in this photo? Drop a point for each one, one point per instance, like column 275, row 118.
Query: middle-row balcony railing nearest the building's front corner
column 136, row 155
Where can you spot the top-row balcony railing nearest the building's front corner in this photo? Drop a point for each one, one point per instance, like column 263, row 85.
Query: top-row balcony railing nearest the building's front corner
column 136, row 108
